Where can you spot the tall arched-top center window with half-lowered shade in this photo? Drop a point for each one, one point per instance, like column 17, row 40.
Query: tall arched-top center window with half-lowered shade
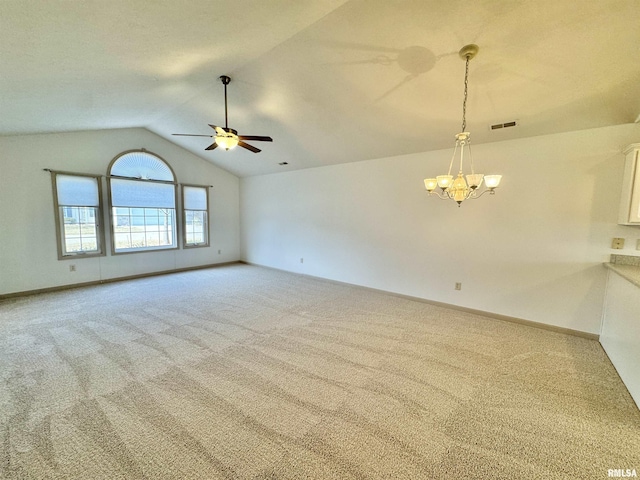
column 143, row 203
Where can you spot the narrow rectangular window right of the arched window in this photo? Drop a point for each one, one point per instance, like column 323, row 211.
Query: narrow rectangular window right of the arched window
column 195, row 201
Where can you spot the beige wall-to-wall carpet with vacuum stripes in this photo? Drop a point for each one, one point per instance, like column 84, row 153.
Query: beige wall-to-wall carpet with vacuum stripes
column 245, row 372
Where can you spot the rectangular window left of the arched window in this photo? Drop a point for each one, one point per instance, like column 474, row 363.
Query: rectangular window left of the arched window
column 77, row 203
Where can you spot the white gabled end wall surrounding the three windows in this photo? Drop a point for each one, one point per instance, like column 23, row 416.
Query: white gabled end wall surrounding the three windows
column 28, row 255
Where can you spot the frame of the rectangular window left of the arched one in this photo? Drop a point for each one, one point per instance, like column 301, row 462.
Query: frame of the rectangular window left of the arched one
column 60, row 231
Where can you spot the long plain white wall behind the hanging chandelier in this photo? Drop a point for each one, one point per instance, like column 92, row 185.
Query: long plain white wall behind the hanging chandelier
column 533, row 251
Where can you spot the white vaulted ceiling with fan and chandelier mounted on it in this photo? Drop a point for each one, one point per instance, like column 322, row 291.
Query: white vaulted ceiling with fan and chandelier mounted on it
column 332, row 81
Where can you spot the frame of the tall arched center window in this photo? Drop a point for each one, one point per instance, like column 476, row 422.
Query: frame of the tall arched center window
column 112, row 226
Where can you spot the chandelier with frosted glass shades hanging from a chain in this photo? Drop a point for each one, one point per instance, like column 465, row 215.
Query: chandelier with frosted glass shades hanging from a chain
column 459, row 189
